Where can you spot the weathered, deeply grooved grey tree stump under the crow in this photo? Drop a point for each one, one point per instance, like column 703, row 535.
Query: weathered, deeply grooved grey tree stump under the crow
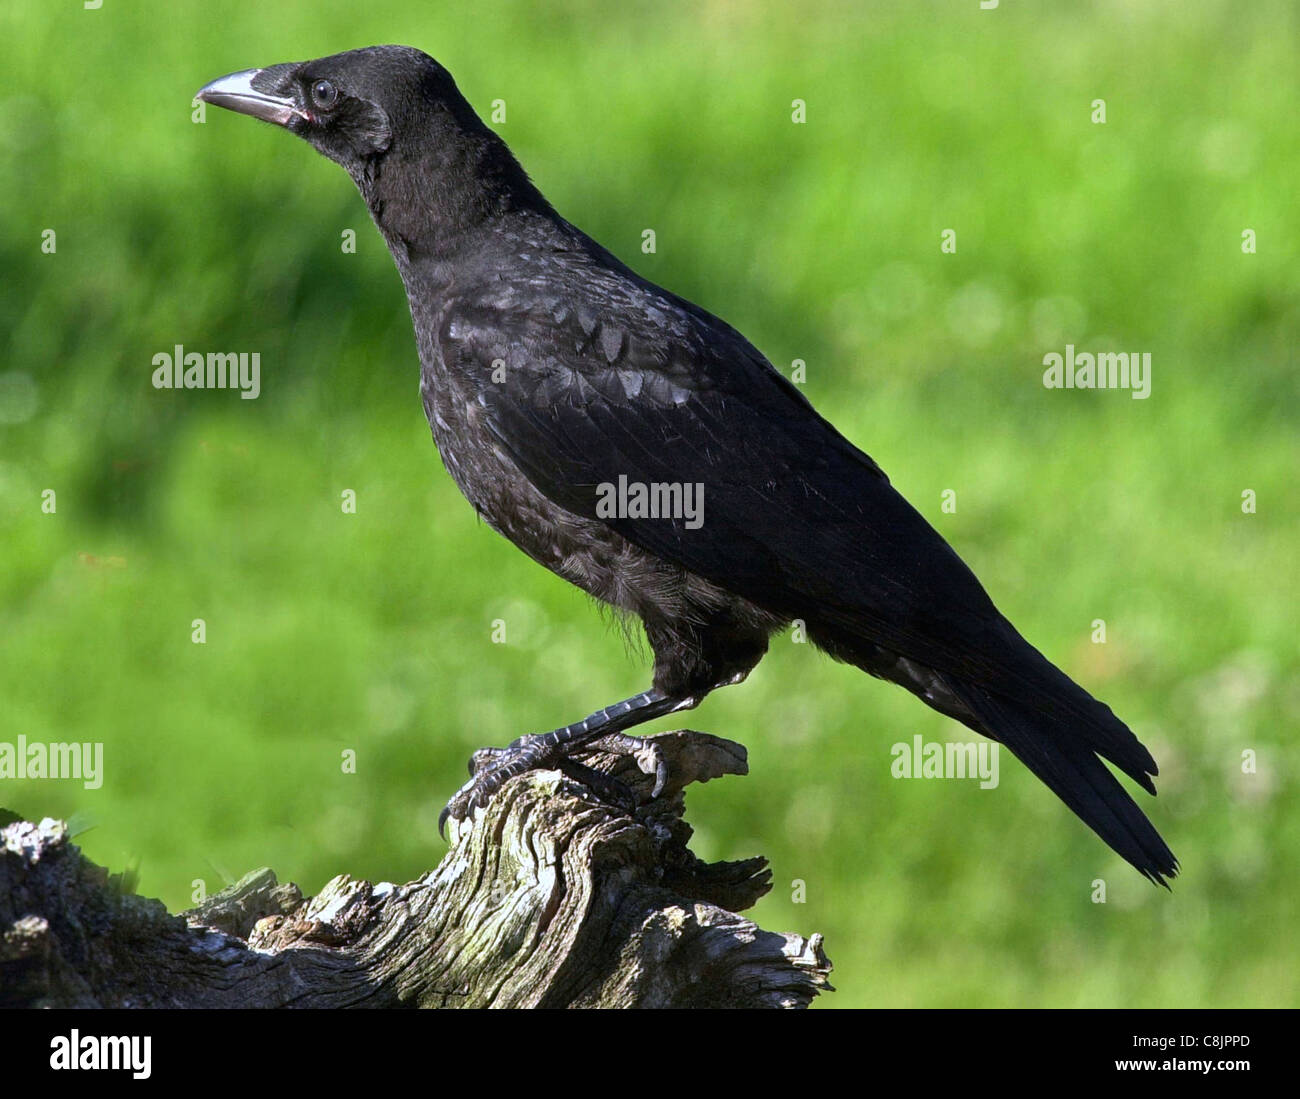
column 549, row 898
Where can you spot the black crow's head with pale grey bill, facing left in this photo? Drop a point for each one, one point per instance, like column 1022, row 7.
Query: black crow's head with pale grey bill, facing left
column 395, row 119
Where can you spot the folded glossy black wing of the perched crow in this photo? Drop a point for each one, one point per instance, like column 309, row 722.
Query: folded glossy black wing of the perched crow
column 795, row 517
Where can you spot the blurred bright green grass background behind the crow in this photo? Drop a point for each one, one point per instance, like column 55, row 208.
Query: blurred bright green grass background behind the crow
column 821, row 243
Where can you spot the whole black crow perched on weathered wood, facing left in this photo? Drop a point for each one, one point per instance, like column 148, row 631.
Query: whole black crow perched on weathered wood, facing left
column 644, row 451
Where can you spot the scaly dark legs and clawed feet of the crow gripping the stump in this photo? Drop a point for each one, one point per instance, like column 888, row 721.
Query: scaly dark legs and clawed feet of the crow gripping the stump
column 491, row 768
